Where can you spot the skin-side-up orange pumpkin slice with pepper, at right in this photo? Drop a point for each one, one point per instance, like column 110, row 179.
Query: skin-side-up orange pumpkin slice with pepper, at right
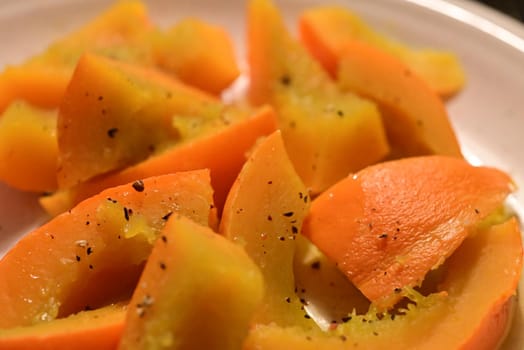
column 391, row 223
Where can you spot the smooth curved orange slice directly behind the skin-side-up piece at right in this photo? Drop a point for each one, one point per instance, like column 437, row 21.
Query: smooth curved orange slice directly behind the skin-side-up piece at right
column 415, row 118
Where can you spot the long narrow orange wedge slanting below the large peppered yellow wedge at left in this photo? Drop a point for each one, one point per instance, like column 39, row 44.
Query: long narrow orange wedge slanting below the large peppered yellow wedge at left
column 212, row 151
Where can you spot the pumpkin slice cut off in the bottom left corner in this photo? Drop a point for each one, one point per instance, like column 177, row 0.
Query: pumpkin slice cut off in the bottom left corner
column 99, row 329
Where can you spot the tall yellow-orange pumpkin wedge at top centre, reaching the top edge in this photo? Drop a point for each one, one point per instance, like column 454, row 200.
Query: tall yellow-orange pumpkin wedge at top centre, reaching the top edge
column 327, row 133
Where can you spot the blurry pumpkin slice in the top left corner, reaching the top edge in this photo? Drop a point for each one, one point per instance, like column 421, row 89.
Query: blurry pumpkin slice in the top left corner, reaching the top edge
column 118, row 32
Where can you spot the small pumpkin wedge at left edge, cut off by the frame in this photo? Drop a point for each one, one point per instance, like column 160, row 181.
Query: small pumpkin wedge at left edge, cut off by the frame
column 28, row 148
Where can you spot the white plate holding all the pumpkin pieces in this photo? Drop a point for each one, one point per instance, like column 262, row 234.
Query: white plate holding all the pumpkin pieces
column 488, row 114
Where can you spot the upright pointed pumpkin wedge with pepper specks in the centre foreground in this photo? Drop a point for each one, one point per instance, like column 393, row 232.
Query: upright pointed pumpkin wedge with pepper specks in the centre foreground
column 263, row 213
